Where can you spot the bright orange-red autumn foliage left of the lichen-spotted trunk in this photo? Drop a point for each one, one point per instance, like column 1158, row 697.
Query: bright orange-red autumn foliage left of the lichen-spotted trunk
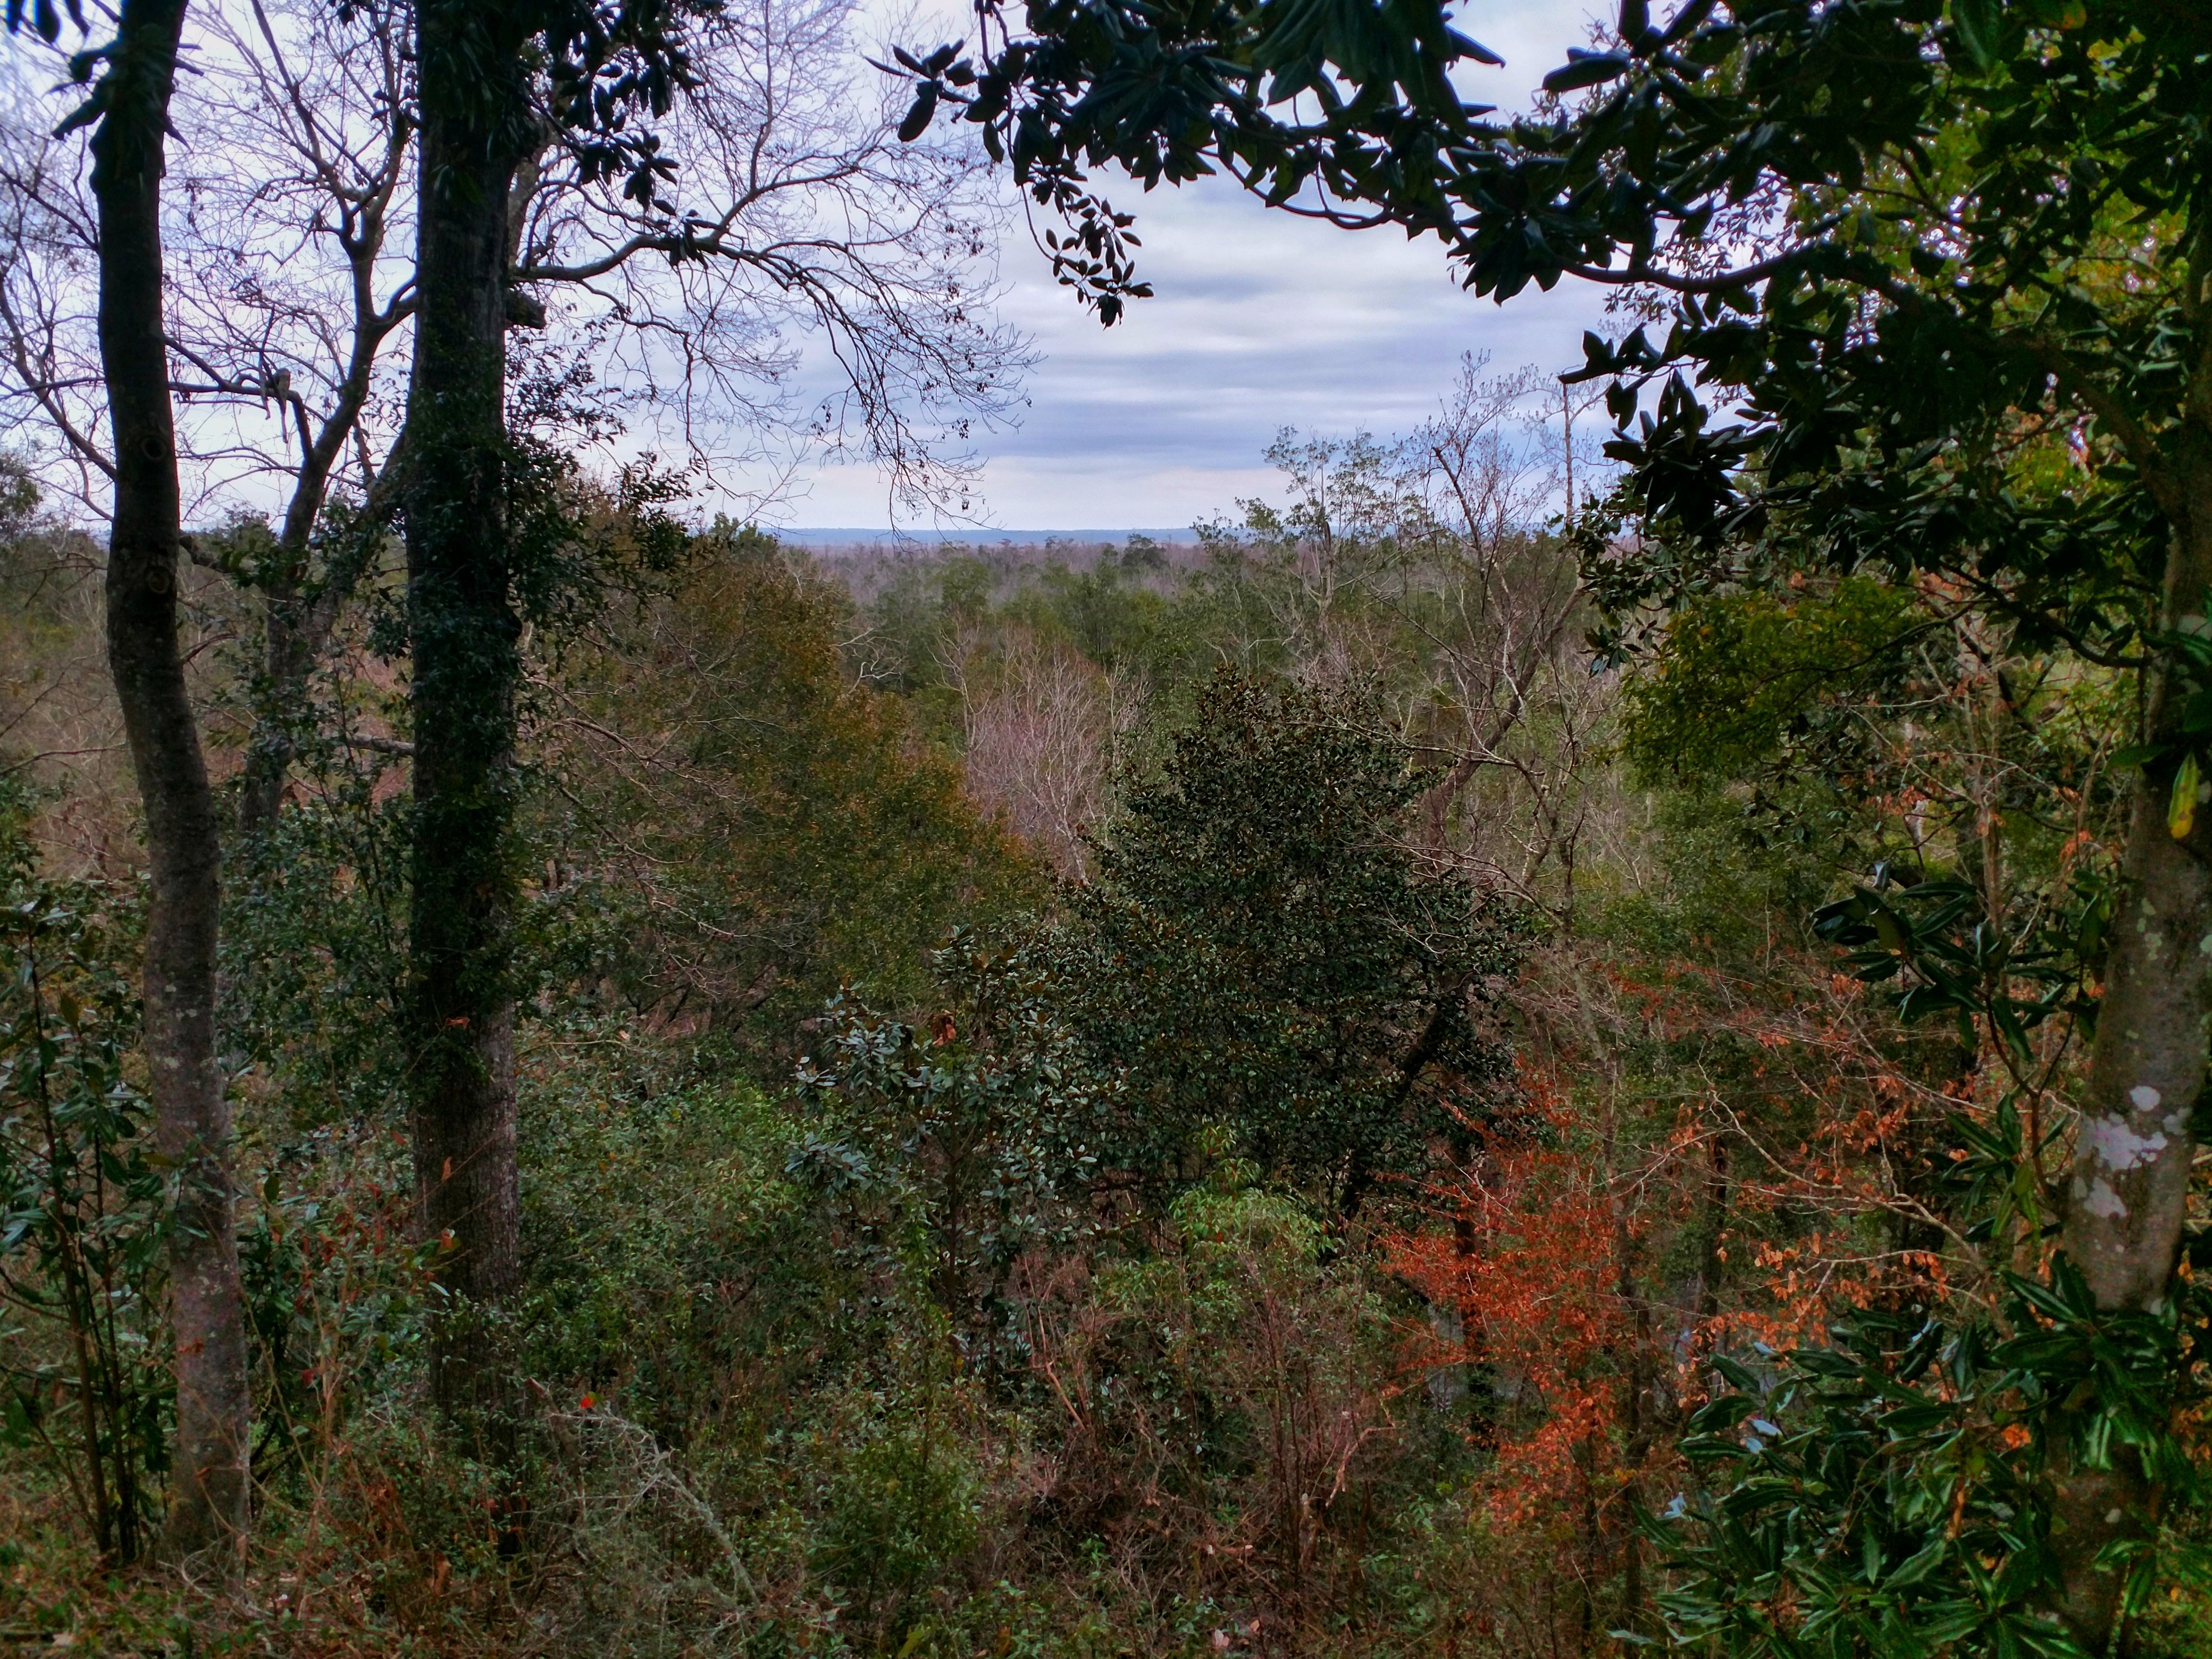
column 1691, row 1169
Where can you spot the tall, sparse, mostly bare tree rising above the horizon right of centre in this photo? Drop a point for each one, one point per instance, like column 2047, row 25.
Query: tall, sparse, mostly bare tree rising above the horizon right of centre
column 1421, row 554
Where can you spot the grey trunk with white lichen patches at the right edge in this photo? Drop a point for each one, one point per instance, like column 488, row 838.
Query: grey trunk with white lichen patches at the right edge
column 2131, row 1171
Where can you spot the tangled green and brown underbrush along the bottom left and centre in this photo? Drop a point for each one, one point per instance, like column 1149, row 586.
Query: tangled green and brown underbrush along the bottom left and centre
column 747, row 1428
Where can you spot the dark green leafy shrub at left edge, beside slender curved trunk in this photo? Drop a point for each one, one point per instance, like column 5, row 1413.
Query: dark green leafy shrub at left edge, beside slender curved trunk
column 83, row 1200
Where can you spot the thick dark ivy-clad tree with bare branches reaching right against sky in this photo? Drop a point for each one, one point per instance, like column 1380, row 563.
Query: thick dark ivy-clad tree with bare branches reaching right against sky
column 530, row 121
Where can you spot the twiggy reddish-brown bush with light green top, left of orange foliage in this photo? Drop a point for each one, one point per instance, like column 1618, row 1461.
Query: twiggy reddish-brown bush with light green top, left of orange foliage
column 1224, row 1408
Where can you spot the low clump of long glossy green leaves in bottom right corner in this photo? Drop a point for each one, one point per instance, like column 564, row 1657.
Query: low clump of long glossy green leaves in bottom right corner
column 1890, row 1492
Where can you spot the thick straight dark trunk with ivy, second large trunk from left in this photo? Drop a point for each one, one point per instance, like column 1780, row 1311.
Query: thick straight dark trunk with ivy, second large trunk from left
column 466, row 671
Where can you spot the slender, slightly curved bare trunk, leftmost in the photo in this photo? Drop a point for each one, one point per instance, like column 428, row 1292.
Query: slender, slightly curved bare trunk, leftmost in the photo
column 182, row 835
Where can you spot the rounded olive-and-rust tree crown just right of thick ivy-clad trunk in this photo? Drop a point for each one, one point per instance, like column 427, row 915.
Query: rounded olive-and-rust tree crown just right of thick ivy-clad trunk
column 740, row 828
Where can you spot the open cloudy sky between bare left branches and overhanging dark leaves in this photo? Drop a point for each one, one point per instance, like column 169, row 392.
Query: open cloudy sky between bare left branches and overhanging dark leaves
column 1260, row 322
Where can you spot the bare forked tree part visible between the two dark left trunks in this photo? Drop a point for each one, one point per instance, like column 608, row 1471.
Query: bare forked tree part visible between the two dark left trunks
column 326, row 123
